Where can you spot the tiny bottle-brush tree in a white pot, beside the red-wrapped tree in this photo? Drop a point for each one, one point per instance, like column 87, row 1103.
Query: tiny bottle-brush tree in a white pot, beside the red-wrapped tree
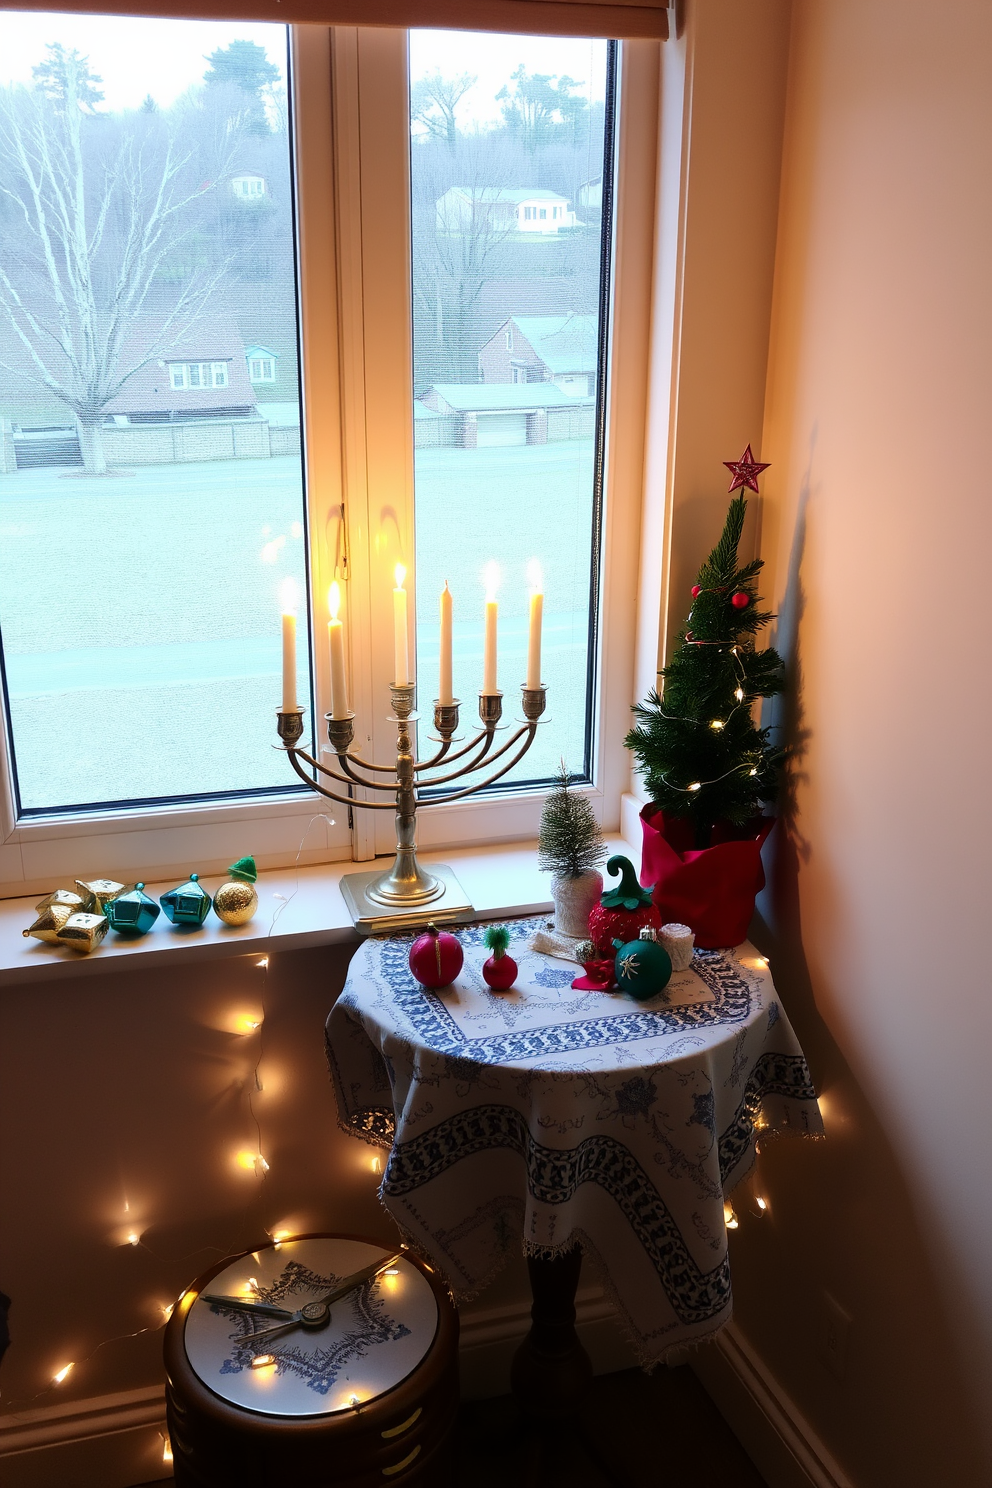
column 570, row 846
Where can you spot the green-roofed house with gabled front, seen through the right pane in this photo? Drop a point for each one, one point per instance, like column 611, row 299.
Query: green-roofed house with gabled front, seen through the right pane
column 561, row 350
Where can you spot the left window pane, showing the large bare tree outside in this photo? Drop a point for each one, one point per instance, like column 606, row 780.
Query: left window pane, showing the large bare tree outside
column 151, row 508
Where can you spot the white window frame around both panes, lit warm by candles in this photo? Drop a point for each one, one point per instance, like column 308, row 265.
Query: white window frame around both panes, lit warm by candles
column 352, row 167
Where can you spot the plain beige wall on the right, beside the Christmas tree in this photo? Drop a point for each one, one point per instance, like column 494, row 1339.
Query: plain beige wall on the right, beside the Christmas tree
column 877, row 530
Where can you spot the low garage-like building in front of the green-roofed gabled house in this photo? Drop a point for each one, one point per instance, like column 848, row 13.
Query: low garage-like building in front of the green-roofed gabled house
column 489, row 416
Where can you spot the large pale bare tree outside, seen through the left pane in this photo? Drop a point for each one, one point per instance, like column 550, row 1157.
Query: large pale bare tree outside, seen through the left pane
column 99, row 208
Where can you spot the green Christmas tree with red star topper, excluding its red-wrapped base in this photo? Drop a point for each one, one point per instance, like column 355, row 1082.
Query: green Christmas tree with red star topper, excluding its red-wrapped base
column 697, row 746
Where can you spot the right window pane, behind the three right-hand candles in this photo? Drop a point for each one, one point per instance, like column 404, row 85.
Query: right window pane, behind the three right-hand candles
column 511, row 139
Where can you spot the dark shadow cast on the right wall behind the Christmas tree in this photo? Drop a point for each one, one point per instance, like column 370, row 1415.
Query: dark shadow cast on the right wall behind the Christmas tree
column 895, row 1399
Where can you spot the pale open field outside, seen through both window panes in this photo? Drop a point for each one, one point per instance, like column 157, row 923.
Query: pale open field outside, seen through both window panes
column 141, row 623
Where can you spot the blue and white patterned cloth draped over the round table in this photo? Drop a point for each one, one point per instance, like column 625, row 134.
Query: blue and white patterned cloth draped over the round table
column 551, row 1117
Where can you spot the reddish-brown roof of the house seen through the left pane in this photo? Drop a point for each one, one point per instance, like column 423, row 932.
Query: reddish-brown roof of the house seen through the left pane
column 209, row 340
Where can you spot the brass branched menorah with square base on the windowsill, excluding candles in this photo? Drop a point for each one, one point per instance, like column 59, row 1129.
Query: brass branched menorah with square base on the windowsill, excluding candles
column 408, row 895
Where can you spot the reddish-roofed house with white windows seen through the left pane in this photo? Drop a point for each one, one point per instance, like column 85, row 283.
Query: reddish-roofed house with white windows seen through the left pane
column 204, row 376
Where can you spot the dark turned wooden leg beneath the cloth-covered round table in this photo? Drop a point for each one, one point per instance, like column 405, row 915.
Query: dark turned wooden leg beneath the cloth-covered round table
column 551, row 1368
